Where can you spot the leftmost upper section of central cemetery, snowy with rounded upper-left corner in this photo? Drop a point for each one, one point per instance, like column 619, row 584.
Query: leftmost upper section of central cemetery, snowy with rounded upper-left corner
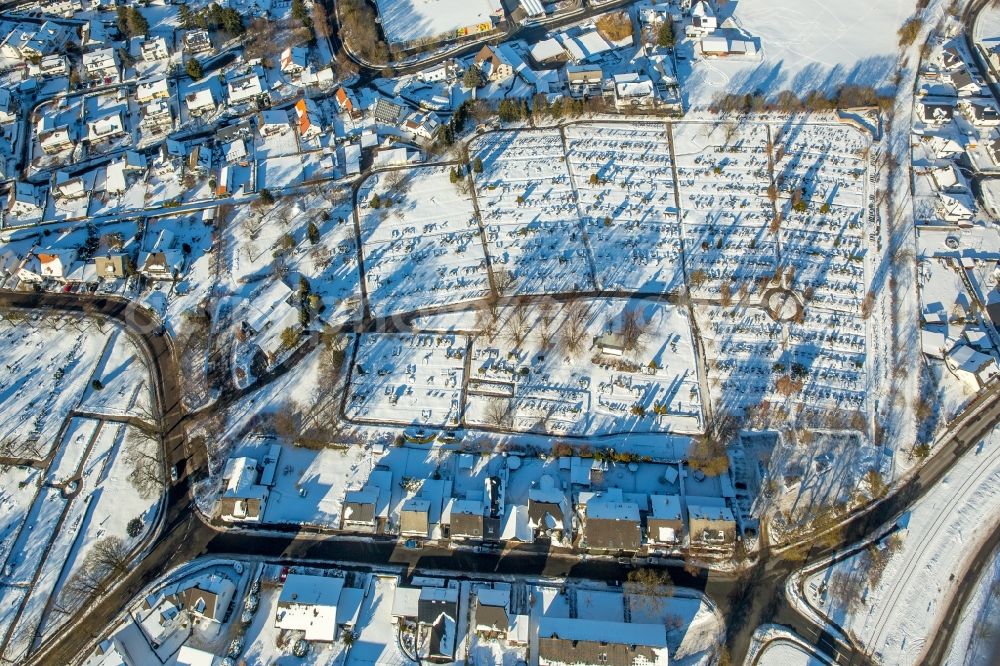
column 421, row 239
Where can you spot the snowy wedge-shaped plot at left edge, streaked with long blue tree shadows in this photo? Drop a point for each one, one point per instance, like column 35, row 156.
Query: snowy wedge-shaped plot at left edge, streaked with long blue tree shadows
column 48, row 364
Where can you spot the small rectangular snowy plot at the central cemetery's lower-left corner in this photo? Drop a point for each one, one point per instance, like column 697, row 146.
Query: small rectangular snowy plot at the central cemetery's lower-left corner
column 408, row 379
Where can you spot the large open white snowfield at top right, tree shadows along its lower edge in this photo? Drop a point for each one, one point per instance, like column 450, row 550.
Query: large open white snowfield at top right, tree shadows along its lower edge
column 806, row 45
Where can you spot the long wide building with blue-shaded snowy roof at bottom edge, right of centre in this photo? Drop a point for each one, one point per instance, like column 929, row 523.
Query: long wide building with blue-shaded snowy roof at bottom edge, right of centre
column 572, row 641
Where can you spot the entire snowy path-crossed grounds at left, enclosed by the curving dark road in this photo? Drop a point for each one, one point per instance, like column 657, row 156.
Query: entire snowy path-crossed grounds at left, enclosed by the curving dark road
column 86, row 464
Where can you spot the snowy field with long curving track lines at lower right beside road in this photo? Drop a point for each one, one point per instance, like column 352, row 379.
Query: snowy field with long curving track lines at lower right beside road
column 892, row 594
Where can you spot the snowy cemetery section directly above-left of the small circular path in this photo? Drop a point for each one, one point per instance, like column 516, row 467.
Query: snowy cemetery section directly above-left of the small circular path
column 723, row 174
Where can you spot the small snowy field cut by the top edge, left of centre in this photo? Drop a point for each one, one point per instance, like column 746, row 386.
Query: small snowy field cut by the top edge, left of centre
column 409, row 20
